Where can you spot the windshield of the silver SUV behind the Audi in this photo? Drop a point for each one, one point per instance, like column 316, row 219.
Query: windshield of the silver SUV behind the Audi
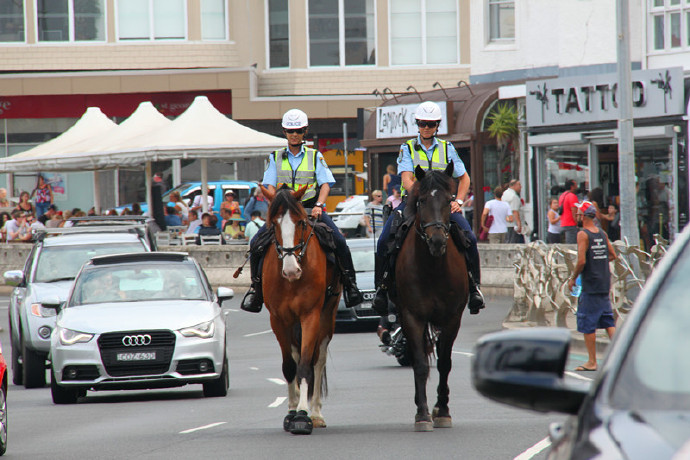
column 56, row 263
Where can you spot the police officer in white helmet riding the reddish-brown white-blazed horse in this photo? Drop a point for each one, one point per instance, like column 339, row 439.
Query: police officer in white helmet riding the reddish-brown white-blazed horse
column 297, row 166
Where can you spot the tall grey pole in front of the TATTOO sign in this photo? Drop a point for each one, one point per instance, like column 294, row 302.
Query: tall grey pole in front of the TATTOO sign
column 626, row 143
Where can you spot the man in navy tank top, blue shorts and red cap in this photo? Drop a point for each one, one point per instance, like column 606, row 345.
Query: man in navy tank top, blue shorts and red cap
column 594, row 251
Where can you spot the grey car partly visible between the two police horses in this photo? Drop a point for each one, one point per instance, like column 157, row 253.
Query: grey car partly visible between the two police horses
column 363, row 251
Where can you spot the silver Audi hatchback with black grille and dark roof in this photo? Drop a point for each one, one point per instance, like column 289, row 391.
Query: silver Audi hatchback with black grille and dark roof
column 140, row 320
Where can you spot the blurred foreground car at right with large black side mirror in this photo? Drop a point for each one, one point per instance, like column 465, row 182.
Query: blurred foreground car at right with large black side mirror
column 638, row 407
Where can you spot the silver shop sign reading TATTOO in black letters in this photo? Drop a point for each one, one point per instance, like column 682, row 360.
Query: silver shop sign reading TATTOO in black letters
column 594, row 98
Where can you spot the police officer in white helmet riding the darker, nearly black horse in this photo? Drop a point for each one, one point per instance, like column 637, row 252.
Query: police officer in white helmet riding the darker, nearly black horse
column 430, row 153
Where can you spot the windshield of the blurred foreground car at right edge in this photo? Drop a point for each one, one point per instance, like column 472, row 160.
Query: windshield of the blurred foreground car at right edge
column 656, row 371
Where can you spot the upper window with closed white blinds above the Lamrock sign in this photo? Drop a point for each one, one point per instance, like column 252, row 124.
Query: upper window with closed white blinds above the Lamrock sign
column 424, row 32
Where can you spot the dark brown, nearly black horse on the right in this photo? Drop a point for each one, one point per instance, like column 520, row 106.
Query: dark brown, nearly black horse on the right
column 432, row 289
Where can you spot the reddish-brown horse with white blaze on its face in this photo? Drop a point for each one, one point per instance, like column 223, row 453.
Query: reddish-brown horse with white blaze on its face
column 301, row 292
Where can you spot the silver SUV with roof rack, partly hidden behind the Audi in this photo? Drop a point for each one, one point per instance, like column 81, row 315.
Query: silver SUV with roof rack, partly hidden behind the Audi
column 49, row 271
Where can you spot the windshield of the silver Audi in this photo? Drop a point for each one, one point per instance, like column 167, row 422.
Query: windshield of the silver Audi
column 138, row 282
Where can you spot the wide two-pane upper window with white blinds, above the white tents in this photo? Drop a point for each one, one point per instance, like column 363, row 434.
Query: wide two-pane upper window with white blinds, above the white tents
column 151, row 19
